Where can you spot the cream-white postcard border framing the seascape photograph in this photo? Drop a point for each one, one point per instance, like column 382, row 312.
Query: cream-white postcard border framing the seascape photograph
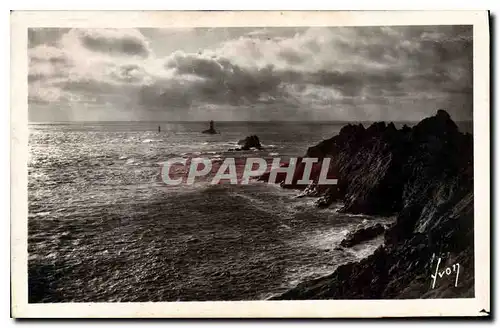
column 22, row 20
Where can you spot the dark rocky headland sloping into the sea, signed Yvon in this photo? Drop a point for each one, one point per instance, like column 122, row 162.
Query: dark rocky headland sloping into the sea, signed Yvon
column 424, row 176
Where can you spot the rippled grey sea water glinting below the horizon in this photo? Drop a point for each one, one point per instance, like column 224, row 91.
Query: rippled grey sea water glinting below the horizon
column 104, row 228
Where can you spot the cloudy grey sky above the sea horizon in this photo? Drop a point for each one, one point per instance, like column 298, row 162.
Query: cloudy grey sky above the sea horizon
column 397, row 73
